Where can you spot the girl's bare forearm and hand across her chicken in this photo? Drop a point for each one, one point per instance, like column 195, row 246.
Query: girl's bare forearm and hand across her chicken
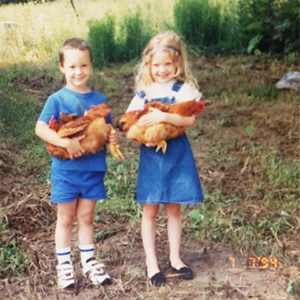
column 158, row 116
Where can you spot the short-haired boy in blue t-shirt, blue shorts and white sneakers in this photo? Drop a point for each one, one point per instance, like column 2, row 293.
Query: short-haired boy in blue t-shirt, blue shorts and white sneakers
column 77, row 182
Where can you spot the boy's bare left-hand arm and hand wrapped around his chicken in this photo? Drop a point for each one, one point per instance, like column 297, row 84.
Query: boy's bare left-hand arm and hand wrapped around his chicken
column 73, row 145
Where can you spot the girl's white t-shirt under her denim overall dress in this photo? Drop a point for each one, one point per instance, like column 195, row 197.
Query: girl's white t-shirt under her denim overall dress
column 164, row 90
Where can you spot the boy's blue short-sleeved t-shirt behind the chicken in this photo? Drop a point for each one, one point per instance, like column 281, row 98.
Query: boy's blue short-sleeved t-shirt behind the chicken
column 68, row 101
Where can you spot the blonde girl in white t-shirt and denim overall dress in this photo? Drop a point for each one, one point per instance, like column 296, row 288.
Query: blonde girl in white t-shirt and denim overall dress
column 171, row 178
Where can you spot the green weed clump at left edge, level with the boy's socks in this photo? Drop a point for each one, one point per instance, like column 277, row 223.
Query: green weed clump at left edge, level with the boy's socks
column 12, row 263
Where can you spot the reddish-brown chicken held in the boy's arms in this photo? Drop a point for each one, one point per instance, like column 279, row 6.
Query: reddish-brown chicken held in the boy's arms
column 93, row 125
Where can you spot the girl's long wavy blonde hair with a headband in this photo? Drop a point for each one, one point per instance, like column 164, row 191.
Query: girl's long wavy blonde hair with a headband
column 169, row 42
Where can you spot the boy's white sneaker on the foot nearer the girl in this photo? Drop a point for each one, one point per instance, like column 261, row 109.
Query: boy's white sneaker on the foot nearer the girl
column 93, row 270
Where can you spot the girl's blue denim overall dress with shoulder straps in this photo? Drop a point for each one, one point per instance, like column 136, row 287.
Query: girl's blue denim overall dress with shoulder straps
column 171, row 177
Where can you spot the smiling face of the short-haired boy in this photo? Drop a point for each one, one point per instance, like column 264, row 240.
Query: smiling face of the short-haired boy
column 77, row 68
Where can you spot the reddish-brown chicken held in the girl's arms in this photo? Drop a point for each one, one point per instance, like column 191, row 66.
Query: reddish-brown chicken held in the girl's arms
column 158, row 133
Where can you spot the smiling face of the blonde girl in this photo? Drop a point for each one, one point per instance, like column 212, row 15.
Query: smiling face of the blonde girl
column 162, row 67
